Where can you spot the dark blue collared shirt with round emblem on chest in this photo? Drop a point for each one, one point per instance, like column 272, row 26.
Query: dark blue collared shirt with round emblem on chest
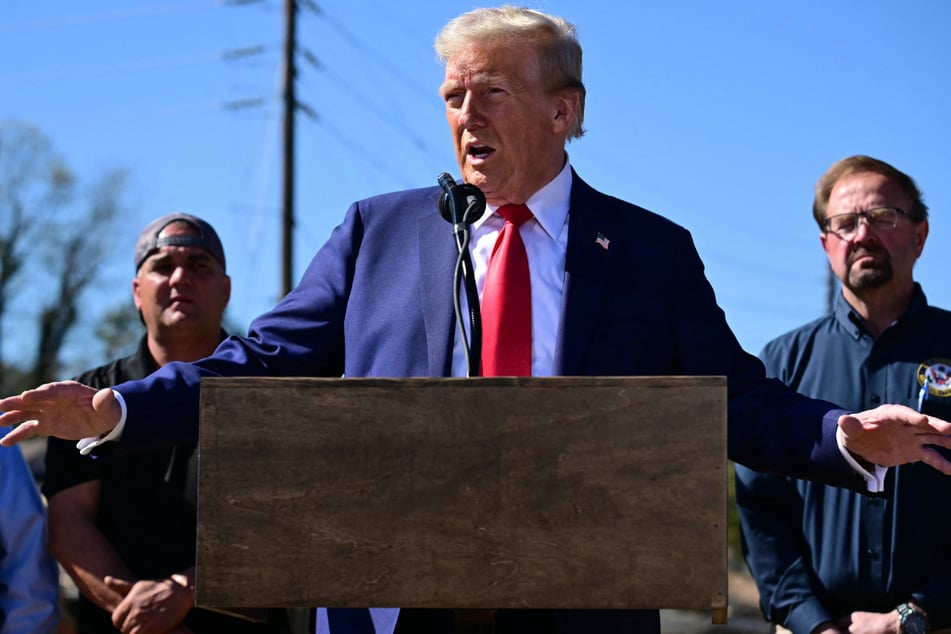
column 819, row 552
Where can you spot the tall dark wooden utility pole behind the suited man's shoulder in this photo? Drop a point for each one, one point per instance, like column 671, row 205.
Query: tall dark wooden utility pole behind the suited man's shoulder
column 290, row 107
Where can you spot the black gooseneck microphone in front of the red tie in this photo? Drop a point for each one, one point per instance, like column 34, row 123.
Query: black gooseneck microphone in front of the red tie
column 462, row 205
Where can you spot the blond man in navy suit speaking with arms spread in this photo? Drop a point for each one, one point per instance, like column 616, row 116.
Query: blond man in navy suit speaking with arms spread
column 615, row 290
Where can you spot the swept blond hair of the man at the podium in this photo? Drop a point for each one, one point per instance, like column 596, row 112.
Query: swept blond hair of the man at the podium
column 558, row 51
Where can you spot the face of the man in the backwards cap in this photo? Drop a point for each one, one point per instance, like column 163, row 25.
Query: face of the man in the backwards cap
column 181, row 288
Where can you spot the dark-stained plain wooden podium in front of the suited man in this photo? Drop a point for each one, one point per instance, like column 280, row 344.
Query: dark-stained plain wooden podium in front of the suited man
column 464, row 493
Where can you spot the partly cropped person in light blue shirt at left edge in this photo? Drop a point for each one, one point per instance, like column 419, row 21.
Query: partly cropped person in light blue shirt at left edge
column 29, row 577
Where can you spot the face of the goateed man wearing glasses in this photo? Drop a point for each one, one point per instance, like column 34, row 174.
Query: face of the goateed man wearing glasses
column 875, row 258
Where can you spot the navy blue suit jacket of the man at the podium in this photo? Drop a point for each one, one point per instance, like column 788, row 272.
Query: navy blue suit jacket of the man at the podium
column 376, row 301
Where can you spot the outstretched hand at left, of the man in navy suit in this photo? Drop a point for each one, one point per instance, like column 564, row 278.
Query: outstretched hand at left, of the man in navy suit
column 66, row 409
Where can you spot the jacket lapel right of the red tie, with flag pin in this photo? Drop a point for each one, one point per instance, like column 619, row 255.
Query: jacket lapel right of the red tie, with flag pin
column 587, row 277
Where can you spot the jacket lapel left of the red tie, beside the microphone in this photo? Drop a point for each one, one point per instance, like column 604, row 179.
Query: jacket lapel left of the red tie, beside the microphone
column 437, row 260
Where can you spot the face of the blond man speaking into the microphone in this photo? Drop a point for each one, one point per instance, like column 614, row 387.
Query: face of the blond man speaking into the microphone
column 508, row 131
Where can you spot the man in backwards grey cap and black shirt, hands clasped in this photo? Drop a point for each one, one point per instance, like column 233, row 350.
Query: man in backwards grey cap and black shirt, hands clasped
column 124, row 527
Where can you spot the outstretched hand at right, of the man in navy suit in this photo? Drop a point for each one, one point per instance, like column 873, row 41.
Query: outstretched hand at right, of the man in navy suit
column 891, row 435
